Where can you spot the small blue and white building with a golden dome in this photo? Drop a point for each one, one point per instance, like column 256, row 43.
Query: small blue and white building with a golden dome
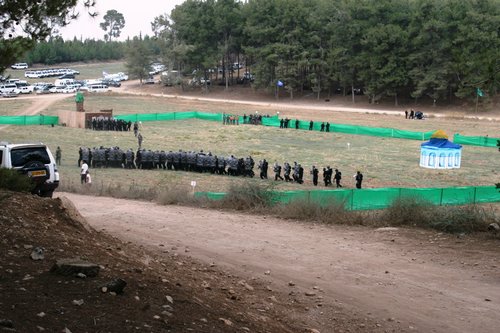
column 440, row 153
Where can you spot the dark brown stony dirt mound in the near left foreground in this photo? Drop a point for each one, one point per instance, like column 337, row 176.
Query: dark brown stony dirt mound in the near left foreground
column 163, row 293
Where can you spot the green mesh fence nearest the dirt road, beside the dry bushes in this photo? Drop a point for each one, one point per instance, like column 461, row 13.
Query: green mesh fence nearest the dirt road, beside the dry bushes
column 380, row 198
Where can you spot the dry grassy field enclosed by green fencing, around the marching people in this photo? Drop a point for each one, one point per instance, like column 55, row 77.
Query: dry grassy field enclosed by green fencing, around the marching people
column 384, row 162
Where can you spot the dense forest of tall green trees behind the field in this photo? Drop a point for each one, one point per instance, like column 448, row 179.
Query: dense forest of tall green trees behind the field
column 391, row 49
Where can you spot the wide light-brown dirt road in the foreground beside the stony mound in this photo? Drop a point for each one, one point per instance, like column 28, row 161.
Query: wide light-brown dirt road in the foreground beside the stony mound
column 423, row 281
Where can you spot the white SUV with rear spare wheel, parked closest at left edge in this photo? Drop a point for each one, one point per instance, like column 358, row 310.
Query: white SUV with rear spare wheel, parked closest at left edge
column 34, row 160
